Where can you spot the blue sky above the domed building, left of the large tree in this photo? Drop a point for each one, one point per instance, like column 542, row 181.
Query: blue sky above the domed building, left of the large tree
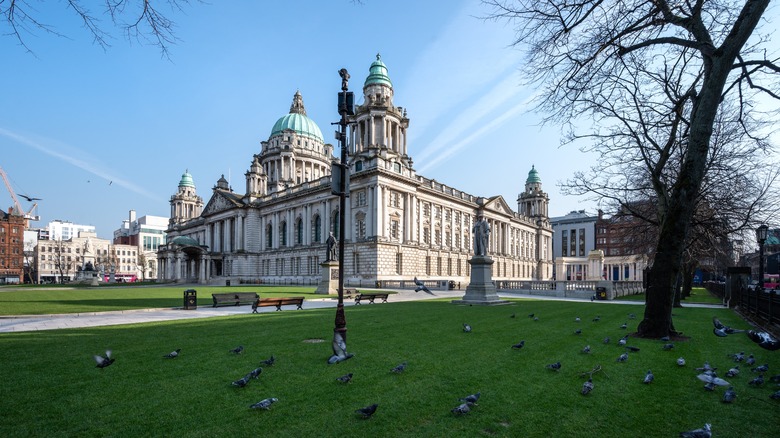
column 97, row 133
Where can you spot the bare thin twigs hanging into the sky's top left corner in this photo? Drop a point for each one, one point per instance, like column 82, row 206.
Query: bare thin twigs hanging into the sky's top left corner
column 146, row 21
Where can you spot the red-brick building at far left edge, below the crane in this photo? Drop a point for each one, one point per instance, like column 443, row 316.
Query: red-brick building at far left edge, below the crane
column 11, row 247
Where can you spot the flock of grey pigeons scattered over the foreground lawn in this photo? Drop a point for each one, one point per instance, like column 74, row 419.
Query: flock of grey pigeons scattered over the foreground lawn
column 707, row 373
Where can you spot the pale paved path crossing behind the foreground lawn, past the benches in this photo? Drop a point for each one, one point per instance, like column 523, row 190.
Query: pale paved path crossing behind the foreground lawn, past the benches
column 26, row 323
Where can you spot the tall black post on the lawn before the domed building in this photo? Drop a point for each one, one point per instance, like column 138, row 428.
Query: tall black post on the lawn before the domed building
column 341, row 188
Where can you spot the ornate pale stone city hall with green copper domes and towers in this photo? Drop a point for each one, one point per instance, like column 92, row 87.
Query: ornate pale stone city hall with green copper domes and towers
column 398, row 224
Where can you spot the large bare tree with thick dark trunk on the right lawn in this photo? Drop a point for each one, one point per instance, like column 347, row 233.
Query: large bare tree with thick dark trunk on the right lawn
column 678, row 62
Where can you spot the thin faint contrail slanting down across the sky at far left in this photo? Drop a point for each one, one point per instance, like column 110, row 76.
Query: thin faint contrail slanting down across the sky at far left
column 69, row 155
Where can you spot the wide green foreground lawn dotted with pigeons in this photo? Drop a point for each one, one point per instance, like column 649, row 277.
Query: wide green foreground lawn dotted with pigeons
column 54, row 389
